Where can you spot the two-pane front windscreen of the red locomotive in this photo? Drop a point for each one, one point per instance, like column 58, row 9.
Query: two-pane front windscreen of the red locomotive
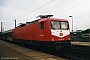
column 59, row 25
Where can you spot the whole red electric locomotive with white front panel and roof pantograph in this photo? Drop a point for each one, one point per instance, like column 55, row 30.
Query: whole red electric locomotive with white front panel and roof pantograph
column 44, row 32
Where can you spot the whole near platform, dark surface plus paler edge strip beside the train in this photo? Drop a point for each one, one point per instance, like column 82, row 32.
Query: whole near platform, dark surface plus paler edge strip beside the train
column 9, row 50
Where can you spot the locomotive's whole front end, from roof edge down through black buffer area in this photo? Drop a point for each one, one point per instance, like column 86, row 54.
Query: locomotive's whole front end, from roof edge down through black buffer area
column 60, row 34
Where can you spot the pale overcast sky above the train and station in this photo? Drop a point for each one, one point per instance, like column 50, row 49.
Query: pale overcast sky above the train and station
column 27, row 11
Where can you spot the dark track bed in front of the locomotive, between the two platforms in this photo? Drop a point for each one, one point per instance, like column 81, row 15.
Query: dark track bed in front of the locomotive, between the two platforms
column 76, row 53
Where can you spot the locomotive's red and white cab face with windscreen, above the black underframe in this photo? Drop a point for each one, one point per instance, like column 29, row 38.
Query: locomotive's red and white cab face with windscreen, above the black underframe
column 60, row 30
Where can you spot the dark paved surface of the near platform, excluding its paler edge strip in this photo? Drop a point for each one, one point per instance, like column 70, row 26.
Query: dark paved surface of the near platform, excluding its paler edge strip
column 7, row 53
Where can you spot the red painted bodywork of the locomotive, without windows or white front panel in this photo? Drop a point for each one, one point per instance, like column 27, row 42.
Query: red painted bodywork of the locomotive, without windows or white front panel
column 33, row 32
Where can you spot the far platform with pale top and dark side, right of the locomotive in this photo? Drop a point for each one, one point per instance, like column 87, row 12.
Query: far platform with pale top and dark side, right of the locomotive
column 81, row 46
